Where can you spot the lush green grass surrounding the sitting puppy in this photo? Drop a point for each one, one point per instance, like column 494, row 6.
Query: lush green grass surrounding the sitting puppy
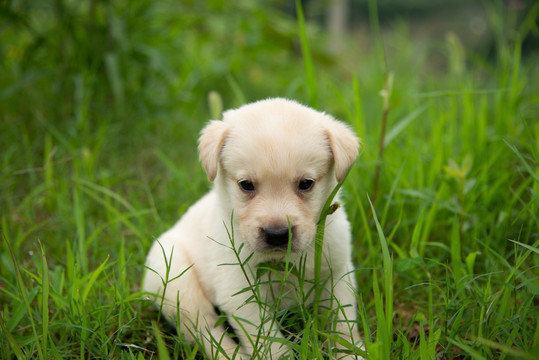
column 101, row 104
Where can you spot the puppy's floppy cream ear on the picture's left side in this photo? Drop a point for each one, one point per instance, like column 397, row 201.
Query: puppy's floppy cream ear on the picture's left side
column 210, row 143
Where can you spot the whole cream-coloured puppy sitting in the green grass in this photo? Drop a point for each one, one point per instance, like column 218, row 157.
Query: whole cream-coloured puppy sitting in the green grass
column 273, row 163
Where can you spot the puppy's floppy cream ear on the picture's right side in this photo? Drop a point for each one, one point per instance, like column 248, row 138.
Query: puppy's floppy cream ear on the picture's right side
column 344, row 145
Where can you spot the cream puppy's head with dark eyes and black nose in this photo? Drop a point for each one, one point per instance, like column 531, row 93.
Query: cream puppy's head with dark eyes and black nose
column 274, row 163
